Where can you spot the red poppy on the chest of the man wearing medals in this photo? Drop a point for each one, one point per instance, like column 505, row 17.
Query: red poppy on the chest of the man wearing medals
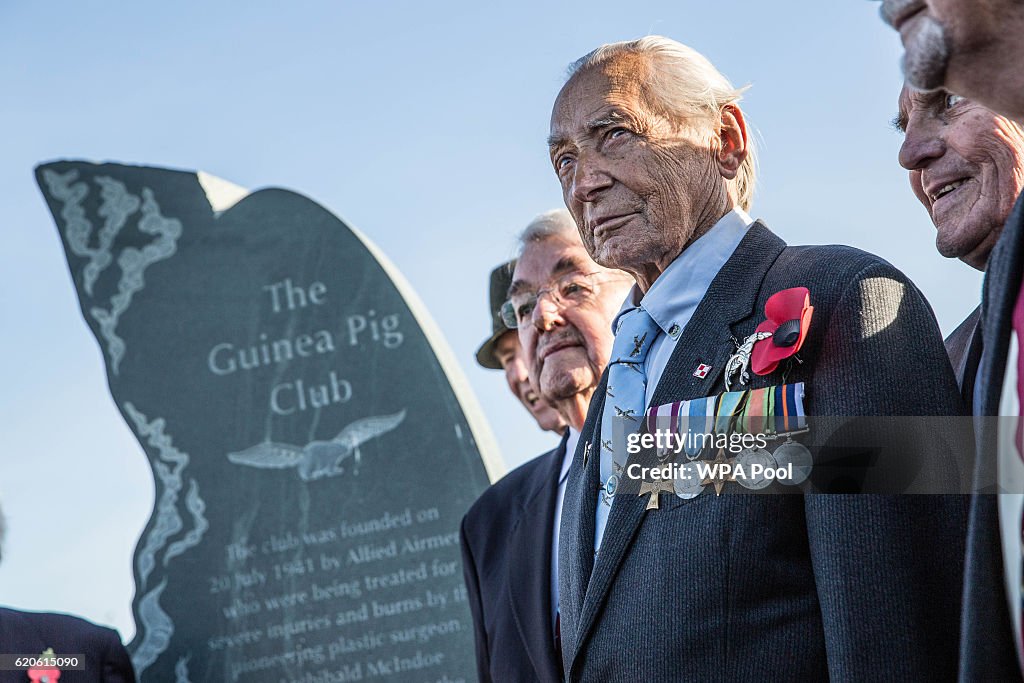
column 789, row 317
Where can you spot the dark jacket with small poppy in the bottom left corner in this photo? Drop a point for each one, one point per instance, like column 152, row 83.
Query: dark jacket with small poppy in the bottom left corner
column 31, row 633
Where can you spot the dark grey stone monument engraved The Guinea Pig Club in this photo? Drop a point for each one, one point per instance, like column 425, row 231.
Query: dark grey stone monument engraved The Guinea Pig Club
column 313, row 445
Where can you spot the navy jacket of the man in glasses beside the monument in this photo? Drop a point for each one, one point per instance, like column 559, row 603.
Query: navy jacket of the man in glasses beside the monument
column 506, row 559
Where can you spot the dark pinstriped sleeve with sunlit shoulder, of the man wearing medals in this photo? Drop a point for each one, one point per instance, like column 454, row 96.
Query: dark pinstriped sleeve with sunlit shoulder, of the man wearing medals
column 888, row 569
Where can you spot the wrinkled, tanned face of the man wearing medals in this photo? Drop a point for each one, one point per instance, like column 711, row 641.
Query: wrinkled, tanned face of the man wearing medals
column 636, row 184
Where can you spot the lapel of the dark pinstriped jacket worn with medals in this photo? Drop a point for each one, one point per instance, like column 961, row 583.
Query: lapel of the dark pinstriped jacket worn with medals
column 706, row 339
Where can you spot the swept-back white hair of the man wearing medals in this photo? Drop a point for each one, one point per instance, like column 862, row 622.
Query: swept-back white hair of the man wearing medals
column 687, row 84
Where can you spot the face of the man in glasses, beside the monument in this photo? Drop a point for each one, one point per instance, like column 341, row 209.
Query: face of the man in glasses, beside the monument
column 567, row 348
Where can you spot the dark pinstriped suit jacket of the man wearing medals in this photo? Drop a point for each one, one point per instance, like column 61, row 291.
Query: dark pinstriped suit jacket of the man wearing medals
column 747, row 587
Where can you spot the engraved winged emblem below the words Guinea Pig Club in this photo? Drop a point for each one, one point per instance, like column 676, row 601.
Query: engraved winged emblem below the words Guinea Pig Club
column 319, row 459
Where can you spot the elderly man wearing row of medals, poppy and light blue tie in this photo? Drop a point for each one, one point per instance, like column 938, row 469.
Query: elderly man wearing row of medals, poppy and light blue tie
column 655, row 161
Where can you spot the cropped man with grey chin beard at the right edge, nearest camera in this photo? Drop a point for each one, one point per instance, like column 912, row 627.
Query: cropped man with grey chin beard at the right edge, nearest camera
column 974, row 50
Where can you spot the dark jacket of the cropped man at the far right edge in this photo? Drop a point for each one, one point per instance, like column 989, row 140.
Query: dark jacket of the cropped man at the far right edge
column 988, row 650
